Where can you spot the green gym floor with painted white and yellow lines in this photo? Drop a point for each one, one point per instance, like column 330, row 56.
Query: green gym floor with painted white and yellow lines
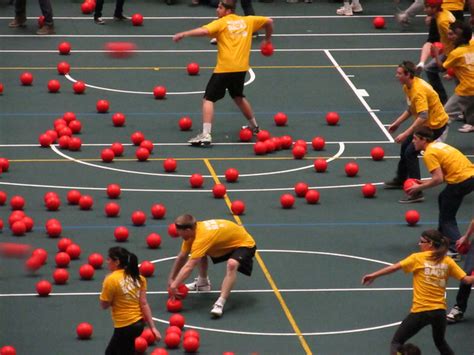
column 305, row 294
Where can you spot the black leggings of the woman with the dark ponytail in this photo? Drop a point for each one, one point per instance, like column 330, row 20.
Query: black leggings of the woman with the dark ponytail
column 123, row 339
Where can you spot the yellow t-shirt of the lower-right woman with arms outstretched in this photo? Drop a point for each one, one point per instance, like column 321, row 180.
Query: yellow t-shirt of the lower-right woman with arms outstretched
column 429, row 280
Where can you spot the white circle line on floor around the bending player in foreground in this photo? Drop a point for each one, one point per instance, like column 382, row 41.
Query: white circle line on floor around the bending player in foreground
column 345, row 331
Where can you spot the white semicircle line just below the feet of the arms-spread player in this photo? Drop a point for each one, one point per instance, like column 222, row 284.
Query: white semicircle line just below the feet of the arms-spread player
column 57, row 151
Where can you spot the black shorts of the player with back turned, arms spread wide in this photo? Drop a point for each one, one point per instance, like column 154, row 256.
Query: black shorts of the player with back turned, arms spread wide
column 219, row 82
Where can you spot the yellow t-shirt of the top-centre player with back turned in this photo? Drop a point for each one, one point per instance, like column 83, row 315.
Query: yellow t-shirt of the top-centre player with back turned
column 234, row 39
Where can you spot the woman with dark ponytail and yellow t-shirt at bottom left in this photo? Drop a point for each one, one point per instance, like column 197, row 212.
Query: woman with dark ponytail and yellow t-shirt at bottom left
column 124, row 289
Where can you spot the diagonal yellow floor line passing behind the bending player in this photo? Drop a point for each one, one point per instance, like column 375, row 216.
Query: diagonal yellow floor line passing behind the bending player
column 265, row 271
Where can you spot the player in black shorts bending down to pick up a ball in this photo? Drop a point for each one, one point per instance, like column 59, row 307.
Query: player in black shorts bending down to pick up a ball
column 219, row 239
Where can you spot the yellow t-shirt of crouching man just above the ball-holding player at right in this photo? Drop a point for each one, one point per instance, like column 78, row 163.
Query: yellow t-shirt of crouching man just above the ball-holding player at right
column 421, row 97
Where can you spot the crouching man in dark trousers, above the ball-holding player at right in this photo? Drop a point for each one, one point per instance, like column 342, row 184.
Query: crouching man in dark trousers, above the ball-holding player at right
column 424, row 104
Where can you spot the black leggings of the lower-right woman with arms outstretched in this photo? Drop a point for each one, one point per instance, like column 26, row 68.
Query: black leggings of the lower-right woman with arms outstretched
column 414, row 322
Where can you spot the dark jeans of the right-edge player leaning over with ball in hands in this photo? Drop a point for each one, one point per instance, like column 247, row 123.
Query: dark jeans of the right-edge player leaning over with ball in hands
column 449, row 201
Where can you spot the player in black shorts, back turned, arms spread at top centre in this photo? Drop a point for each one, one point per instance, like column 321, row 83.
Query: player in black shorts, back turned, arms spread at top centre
column 234, row 39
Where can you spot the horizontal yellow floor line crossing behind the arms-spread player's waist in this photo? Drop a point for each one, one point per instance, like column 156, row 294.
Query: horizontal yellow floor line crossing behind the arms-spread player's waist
column 183, row 68
